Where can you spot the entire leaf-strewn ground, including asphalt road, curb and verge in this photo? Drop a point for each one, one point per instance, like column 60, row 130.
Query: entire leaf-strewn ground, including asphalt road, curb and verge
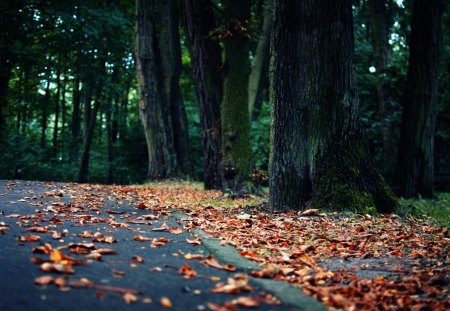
column 176, row 246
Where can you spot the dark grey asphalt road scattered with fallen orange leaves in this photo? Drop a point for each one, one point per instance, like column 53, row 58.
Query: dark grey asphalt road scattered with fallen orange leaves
column 156, row 277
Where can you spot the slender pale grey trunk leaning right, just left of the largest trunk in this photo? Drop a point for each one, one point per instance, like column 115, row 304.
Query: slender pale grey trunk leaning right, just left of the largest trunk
column 260, row 60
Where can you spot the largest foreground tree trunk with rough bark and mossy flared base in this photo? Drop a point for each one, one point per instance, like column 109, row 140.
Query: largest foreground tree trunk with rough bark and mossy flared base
column 318, row 157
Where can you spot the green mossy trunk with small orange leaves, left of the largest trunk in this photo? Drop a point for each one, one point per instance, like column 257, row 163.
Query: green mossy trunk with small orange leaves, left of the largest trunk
column 236, row 149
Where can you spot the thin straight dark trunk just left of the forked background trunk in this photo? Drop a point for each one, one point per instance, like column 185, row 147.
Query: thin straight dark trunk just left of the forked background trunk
column 76, row 120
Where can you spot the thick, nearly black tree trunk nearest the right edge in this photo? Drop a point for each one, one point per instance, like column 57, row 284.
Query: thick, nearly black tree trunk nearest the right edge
column 414, row 172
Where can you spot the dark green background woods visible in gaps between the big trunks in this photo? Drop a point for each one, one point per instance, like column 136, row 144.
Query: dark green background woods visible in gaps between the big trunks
column 68, row 71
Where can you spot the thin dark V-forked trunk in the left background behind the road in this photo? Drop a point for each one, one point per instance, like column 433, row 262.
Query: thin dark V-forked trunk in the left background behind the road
column 90, row 116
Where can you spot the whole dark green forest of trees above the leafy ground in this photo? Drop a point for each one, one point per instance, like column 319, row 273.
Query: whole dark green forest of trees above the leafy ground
column 335, row 106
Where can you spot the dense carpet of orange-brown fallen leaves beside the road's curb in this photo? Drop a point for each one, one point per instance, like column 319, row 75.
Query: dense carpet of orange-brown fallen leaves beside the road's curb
column 291, row 246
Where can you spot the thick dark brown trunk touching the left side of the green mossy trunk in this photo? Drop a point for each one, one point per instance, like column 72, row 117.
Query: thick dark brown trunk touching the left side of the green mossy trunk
column 208, row 81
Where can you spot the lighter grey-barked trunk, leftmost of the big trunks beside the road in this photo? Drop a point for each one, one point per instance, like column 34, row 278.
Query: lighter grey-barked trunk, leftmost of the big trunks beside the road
column 151, row 101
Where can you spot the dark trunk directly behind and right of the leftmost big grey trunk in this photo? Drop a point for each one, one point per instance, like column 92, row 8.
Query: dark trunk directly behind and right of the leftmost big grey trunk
column 171, row 66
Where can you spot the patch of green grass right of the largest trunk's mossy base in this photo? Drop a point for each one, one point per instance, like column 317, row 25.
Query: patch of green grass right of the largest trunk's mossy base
column 438, row 209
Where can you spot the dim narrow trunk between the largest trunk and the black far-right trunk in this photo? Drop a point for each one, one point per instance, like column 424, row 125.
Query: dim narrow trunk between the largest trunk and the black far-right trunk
column 379, row 21
